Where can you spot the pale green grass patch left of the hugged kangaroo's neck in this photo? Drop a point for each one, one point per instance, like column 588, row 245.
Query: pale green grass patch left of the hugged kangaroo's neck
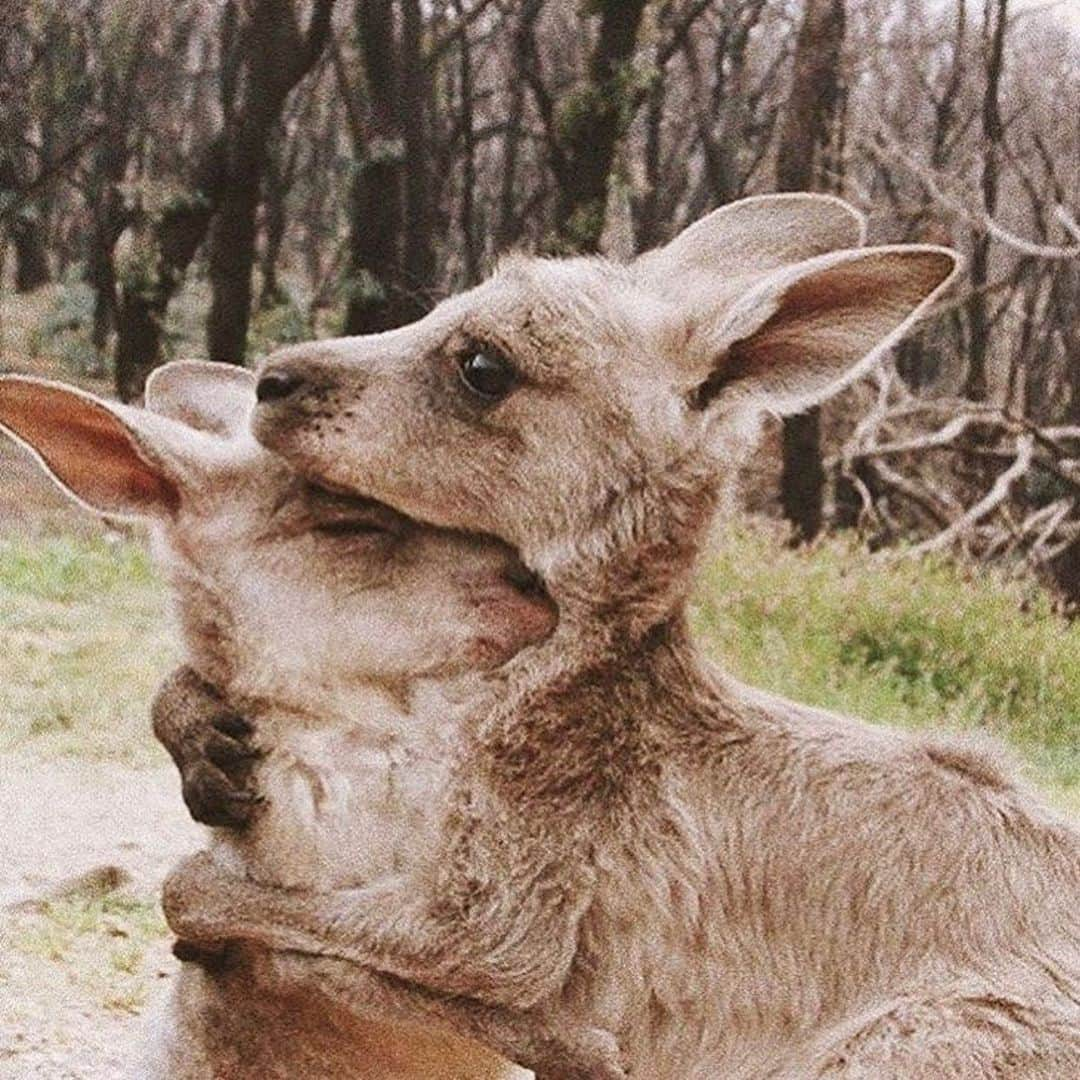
column 87, row 638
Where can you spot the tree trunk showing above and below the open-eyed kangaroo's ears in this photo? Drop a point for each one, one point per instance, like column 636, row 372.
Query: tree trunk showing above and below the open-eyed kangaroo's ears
column 804, row 141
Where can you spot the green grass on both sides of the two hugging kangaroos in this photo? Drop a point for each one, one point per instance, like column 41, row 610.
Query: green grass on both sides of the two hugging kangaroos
column 87, row 639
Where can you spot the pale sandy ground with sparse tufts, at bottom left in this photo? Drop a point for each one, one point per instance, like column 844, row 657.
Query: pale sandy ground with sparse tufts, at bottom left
column 73, row 995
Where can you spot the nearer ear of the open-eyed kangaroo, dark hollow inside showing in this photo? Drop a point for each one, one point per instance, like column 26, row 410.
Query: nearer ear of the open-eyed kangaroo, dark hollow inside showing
column 808, row 330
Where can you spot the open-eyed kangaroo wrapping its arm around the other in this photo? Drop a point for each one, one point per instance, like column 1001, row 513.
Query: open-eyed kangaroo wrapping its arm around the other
column 733, row 885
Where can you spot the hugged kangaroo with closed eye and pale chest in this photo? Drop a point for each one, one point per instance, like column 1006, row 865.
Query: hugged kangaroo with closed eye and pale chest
column 345, row 631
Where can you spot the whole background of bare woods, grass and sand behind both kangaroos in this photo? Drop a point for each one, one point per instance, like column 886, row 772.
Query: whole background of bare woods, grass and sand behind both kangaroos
column 213, row 179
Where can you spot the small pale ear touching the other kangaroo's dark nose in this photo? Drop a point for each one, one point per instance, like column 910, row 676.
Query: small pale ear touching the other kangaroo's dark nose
column 213, row 398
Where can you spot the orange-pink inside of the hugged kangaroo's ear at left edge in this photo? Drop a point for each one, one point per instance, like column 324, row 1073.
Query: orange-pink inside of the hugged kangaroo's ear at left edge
column 88, row 449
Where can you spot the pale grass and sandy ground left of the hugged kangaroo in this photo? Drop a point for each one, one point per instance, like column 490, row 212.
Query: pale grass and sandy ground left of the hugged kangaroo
column 84, row 787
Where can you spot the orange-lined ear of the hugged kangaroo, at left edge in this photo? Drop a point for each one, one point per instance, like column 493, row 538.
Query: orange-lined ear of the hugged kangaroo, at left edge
column 113, row 458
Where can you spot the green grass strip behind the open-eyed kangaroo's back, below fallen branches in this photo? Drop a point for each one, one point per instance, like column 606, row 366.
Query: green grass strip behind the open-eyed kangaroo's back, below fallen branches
column 914, row 644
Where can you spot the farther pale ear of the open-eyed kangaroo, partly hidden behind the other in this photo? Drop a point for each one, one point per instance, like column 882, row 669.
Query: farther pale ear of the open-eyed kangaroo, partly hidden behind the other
column 750, row 238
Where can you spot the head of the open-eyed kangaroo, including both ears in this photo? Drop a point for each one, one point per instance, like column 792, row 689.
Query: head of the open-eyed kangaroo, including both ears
column 588, row 413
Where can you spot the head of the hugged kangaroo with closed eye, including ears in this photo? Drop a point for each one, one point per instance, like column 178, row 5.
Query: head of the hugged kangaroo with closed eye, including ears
column 283, row 588
